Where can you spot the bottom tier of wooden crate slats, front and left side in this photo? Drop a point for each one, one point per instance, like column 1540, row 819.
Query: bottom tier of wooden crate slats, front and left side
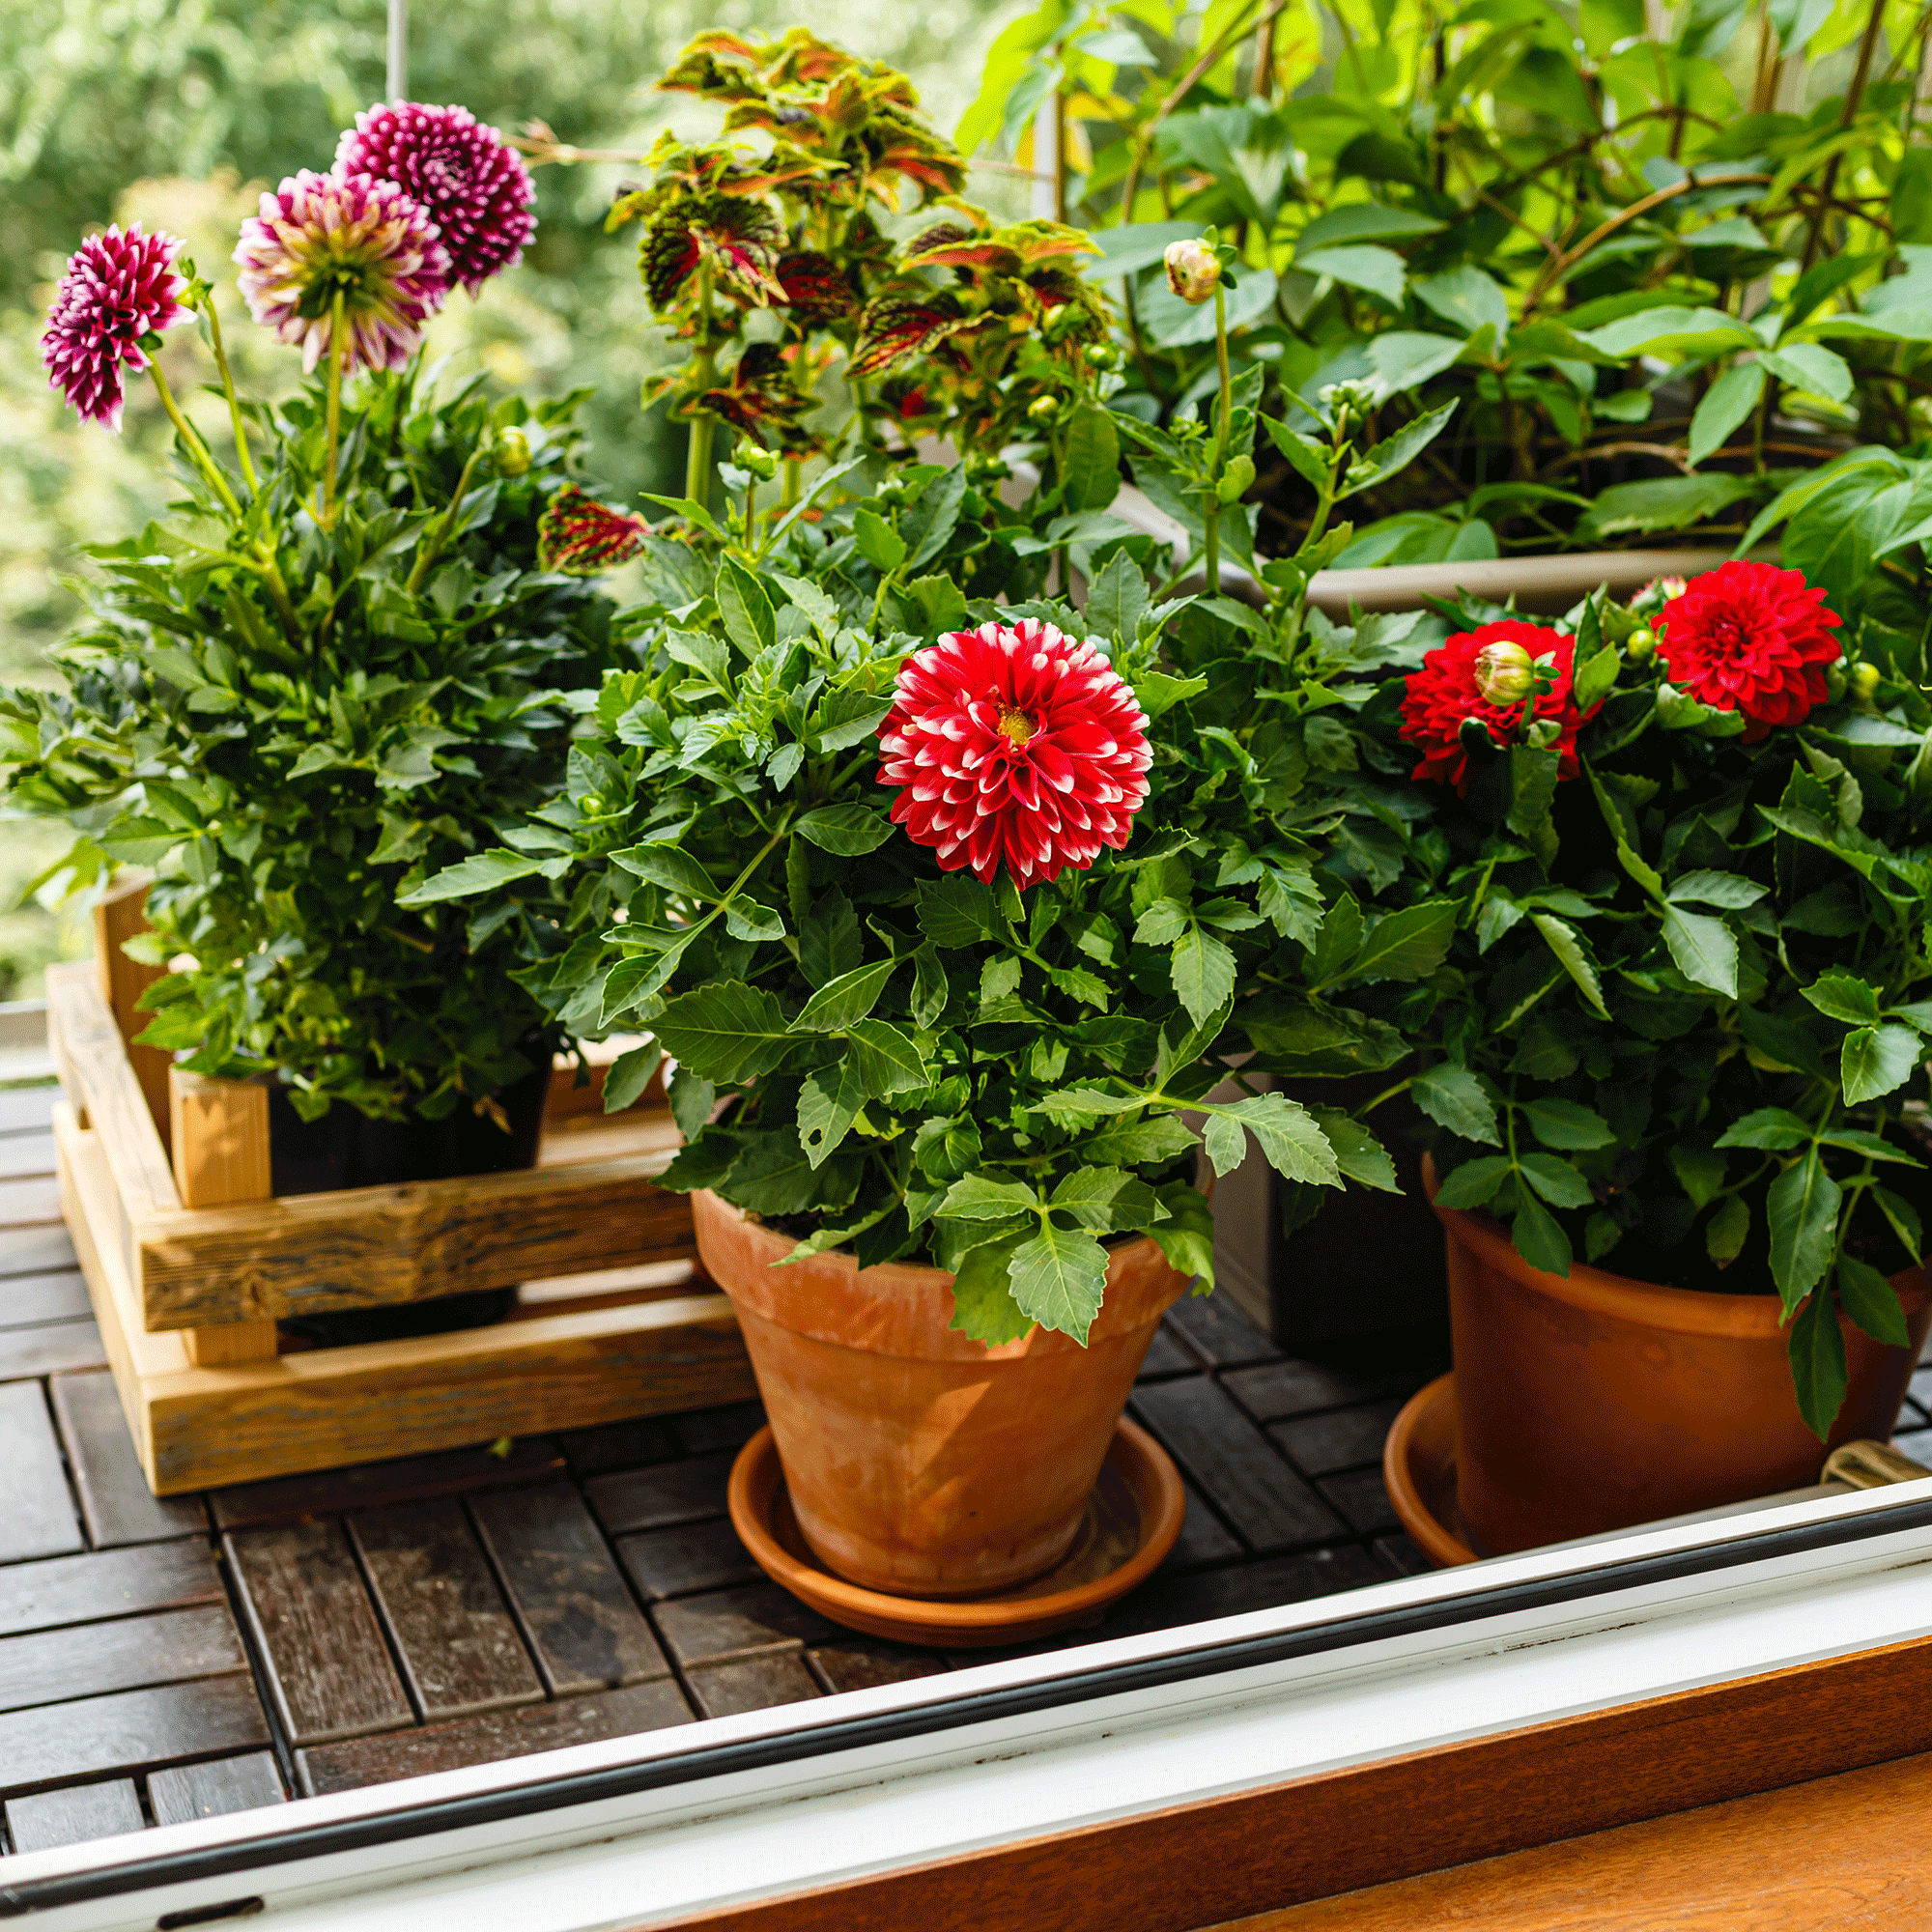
column 200, row 1429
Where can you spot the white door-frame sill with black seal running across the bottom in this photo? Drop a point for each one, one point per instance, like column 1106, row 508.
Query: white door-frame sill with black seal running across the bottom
column 1840, row 1581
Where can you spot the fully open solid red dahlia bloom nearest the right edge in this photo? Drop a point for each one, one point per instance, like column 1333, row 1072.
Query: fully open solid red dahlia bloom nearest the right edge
column 1751, row 639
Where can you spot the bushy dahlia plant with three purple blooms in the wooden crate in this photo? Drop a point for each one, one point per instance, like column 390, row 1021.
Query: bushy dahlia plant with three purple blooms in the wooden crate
column 341, row 662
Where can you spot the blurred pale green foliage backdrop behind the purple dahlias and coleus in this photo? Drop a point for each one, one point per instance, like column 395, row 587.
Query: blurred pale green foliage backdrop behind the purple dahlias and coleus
column 179, row 111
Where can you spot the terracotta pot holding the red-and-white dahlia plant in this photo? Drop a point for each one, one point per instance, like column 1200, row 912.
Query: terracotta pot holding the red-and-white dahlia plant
column 923, row 1463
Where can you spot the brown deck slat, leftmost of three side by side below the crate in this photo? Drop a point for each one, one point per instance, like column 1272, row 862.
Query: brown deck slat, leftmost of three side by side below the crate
column 304, row 1599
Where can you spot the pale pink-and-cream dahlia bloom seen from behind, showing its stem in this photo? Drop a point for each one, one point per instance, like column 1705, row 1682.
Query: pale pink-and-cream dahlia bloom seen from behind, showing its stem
column 366, row 241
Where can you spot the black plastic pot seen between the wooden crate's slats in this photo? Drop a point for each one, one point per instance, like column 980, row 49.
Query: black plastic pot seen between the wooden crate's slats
column 345, row 1149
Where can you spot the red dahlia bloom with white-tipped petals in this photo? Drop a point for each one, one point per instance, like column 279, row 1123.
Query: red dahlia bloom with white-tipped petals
column 1015, row 747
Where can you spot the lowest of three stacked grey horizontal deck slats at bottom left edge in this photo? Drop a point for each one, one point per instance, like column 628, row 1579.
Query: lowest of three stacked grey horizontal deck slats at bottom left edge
column 128, row 1732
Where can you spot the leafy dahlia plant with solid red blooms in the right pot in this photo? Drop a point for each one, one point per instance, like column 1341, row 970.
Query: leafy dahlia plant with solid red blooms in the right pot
column 1688, row 1006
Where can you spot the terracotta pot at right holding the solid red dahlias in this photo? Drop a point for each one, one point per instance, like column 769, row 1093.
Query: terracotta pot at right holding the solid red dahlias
column 1591, row 1404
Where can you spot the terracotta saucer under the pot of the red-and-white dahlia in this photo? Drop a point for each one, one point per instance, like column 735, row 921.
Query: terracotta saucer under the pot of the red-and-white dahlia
column 1131, row 1523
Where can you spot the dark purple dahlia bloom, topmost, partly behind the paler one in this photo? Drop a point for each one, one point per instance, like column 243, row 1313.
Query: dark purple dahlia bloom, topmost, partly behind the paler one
column 472, row 185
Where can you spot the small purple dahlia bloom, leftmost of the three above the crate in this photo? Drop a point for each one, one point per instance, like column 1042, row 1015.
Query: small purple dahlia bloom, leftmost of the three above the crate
column 115, row 291
